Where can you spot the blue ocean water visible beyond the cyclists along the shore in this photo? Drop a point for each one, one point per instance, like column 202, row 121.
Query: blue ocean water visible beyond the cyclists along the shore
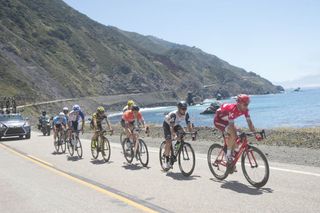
column 288, row 109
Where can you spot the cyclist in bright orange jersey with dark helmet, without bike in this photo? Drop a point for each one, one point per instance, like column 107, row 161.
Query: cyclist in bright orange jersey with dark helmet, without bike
column 133, row 119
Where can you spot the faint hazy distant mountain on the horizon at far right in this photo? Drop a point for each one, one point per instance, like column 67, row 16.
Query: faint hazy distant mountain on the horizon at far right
column 307, row 81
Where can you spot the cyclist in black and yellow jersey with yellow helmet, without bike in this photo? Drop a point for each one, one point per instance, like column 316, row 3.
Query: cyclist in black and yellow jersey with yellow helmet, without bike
column 96, row 122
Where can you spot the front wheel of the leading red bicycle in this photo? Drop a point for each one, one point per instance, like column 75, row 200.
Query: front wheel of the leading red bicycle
column 255, row 167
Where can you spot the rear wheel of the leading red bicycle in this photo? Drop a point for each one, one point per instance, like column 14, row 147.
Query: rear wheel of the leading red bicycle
column 216, row 161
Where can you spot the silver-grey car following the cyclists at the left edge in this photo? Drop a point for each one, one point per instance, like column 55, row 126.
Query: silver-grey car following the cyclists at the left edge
column 14, row 125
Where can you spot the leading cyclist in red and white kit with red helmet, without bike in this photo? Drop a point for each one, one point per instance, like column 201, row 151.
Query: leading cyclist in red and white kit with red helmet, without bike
column 224, row 121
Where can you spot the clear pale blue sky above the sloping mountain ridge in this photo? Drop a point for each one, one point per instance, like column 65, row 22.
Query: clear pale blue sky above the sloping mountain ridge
column 277, row 39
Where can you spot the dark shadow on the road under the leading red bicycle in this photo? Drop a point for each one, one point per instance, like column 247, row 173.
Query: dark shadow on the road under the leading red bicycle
column 243, row 188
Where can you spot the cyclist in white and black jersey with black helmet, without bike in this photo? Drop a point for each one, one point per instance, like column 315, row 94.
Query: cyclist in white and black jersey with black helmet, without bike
column 171, row 128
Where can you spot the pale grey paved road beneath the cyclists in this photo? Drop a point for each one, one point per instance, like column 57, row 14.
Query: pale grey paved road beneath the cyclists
column 35, row 179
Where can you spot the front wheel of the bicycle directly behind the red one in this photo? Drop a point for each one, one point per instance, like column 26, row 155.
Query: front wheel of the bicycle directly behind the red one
column 186, row 159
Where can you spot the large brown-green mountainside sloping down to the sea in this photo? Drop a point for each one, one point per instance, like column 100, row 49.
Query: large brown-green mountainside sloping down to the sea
column 49, row 50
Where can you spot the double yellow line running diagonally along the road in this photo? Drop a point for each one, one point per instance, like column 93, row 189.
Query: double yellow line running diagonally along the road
column 77, row 180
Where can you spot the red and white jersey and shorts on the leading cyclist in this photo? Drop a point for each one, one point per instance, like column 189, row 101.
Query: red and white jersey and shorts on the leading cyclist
column 226, row 114
